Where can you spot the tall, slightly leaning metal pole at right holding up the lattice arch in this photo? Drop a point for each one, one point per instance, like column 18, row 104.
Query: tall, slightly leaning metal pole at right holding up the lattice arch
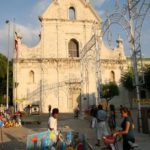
column 134, row 59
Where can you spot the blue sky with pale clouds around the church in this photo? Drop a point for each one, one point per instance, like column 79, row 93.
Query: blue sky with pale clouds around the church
column 25, row 15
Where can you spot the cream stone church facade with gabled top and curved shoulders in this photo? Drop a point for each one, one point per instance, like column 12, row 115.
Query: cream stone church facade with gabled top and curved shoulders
column 50, row 72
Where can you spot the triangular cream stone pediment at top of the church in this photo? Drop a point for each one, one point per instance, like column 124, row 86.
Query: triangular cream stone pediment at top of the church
column 60, row 9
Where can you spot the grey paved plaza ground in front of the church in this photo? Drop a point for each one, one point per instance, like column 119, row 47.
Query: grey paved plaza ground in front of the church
column 15, row 138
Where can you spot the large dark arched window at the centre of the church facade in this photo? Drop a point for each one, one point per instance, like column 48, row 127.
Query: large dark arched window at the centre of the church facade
column 73, row 48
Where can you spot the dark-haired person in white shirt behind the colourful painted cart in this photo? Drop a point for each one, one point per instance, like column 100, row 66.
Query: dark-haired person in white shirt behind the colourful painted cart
column 52, row 122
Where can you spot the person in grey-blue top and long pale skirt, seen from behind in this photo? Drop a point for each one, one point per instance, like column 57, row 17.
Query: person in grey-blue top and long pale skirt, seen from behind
column 101, row 124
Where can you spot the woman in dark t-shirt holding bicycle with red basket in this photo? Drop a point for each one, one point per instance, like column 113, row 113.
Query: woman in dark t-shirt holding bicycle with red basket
column 127, row 129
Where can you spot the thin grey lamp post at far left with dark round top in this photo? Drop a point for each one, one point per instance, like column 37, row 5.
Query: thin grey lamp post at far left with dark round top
column 7, row 87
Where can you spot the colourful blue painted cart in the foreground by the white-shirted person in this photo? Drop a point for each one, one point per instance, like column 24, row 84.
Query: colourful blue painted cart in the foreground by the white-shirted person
column 68, row 140
